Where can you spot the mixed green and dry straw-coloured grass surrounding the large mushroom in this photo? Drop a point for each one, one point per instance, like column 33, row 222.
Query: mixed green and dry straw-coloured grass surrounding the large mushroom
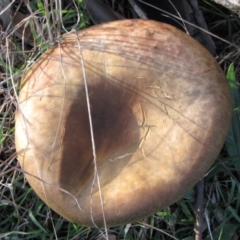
column 24, row 216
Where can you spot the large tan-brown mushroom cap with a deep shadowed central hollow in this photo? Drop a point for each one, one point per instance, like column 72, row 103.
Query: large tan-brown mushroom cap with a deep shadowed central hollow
column 160, row 108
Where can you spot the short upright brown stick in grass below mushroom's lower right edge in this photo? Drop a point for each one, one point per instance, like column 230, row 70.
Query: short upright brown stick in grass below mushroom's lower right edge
column 199, row 216
